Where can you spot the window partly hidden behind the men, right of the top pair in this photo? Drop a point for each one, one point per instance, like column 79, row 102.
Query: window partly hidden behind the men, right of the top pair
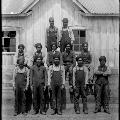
column 80, row 37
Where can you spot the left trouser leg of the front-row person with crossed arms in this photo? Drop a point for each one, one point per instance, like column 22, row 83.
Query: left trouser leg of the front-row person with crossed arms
column 98, row 90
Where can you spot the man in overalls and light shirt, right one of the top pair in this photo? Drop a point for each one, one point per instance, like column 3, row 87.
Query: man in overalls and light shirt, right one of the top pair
column 66, row 35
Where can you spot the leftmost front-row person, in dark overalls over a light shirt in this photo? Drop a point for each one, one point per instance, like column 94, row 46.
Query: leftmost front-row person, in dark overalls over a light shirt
column 20, row 84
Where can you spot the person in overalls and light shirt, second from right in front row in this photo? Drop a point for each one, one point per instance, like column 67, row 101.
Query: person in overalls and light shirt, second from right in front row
column 80, row 74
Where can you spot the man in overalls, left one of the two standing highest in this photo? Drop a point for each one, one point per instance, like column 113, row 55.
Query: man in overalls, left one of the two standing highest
column 51, row 35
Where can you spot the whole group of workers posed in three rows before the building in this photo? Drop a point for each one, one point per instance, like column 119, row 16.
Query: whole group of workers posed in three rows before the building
column 47, row 84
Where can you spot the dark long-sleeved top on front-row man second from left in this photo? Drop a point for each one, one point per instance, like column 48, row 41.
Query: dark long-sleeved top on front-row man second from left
column 38, row 75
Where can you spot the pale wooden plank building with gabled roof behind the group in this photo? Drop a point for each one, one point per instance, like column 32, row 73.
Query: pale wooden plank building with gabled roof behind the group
column 94, row 21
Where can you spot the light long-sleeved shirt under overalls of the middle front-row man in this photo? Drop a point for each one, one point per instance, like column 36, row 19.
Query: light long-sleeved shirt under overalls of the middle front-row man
column 56, row 68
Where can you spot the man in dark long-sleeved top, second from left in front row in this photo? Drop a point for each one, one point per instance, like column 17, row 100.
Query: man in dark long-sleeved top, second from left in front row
column 38, row 81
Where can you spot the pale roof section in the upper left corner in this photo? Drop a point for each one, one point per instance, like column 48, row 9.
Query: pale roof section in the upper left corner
column 14, row 6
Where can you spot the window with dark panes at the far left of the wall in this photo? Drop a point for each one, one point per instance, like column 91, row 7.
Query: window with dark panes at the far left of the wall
column 8, row 41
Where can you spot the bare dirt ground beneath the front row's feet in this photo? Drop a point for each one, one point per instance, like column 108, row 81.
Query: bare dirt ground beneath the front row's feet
column 68, row 114
